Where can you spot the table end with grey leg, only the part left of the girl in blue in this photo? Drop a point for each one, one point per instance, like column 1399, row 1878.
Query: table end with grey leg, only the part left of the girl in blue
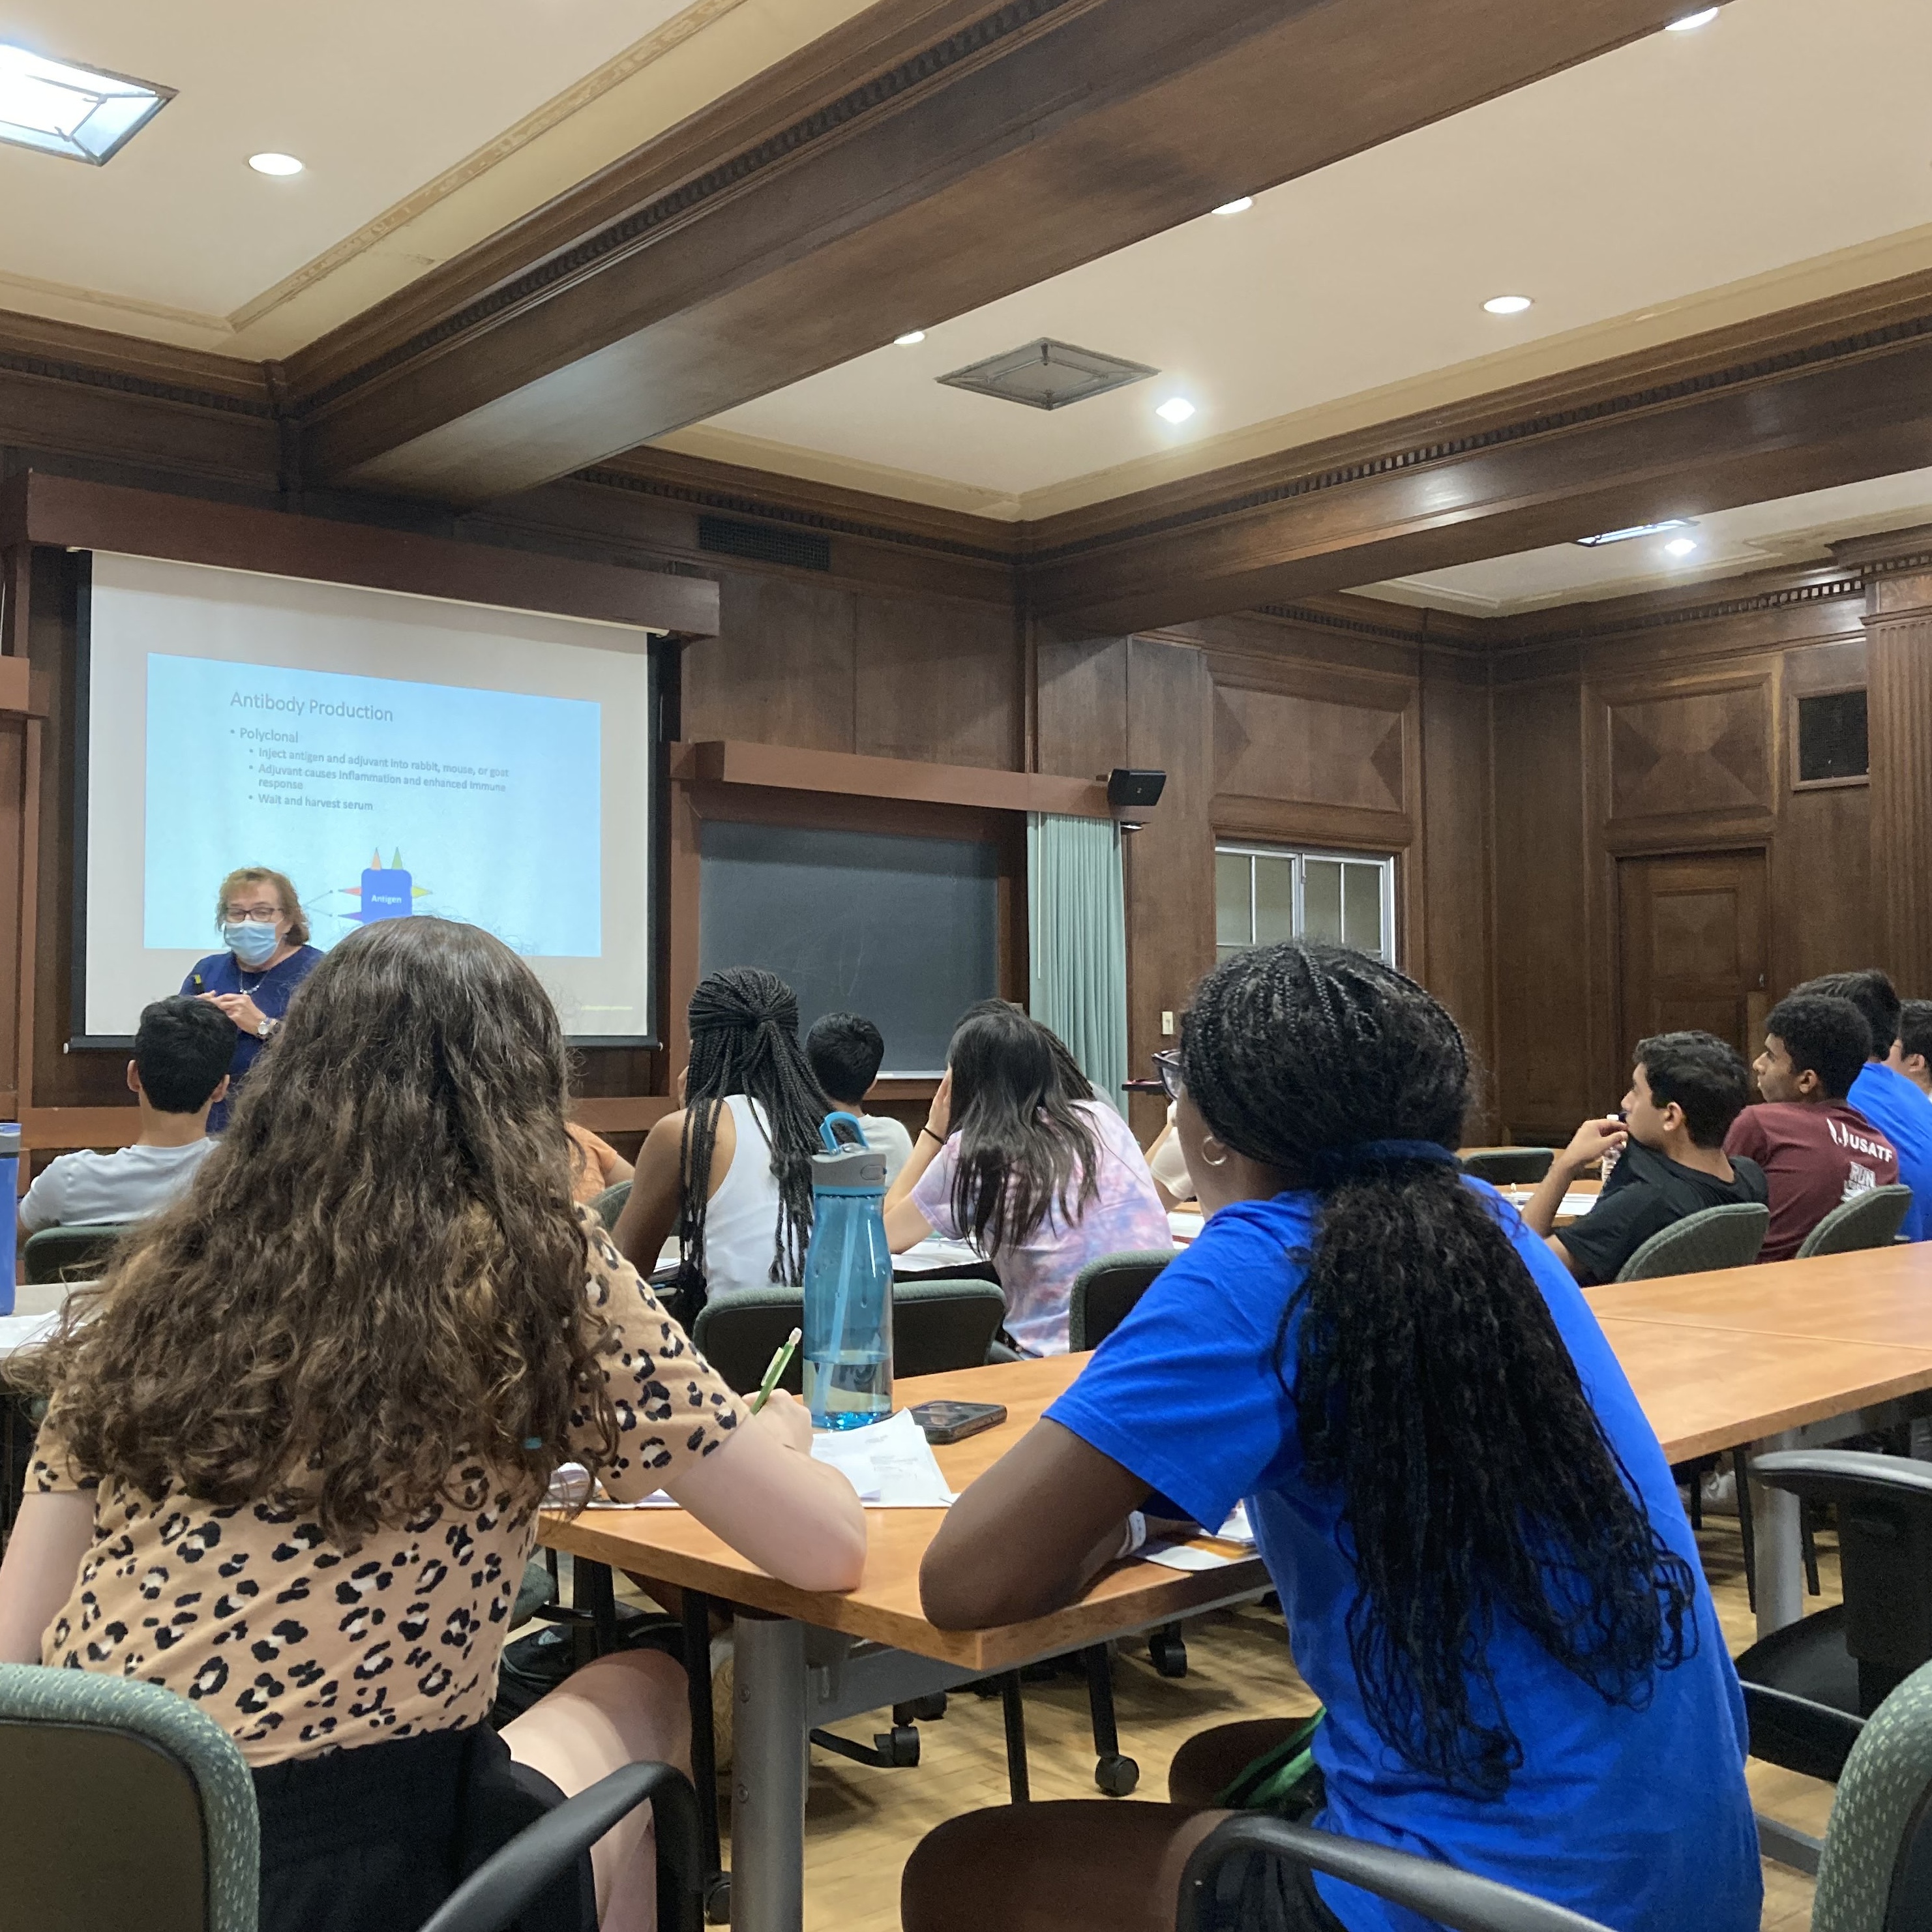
column 805, row 1661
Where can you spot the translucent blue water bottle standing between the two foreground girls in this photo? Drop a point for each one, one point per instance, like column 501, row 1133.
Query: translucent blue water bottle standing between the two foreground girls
column 849, row 1284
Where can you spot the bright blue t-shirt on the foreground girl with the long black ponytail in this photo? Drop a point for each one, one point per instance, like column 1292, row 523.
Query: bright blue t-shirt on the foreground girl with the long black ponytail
column 1637, row 1819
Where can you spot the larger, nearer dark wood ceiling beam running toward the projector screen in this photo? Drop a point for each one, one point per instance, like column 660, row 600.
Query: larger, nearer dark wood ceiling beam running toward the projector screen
column 926, row 159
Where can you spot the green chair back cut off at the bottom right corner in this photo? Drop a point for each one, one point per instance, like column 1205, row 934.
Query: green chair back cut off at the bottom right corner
column 1875, row 1873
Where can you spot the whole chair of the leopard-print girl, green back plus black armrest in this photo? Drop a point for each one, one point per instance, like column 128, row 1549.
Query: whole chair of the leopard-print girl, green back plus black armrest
column 80, row 1747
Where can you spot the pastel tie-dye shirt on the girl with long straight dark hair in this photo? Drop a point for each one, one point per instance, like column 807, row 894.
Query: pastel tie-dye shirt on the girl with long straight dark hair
column 1038, row 1274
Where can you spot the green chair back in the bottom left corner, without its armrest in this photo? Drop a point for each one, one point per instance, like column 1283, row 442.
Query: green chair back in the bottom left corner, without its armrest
column 115, row 1792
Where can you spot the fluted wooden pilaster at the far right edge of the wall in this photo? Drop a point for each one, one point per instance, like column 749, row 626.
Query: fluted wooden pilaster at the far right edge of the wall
column 1900, row 627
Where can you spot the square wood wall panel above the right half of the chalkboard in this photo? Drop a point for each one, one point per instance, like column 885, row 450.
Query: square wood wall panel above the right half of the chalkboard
column 940, row 681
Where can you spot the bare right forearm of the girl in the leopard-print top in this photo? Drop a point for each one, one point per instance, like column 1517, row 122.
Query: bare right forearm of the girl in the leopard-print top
column 760, row 1491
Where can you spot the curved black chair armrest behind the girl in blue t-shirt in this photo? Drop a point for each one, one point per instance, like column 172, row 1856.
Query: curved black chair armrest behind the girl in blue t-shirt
column 1431, row 1890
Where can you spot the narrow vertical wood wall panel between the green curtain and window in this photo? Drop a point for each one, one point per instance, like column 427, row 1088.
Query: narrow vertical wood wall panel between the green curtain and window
column 1170, row 861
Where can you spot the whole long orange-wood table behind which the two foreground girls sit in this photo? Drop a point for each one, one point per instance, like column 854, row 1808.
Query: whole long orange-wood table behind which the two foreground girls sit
column 1740, row 1359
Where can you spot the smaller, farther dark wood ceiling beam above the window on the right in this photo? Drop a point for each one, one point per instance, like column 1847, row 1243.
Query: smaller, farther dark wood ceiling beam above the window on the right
column 1834, row 393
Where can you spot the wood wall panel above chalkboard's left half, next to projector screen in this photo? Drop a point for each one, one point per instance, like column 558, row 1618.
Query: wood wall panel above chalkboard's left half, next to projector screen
column 783, row 666
